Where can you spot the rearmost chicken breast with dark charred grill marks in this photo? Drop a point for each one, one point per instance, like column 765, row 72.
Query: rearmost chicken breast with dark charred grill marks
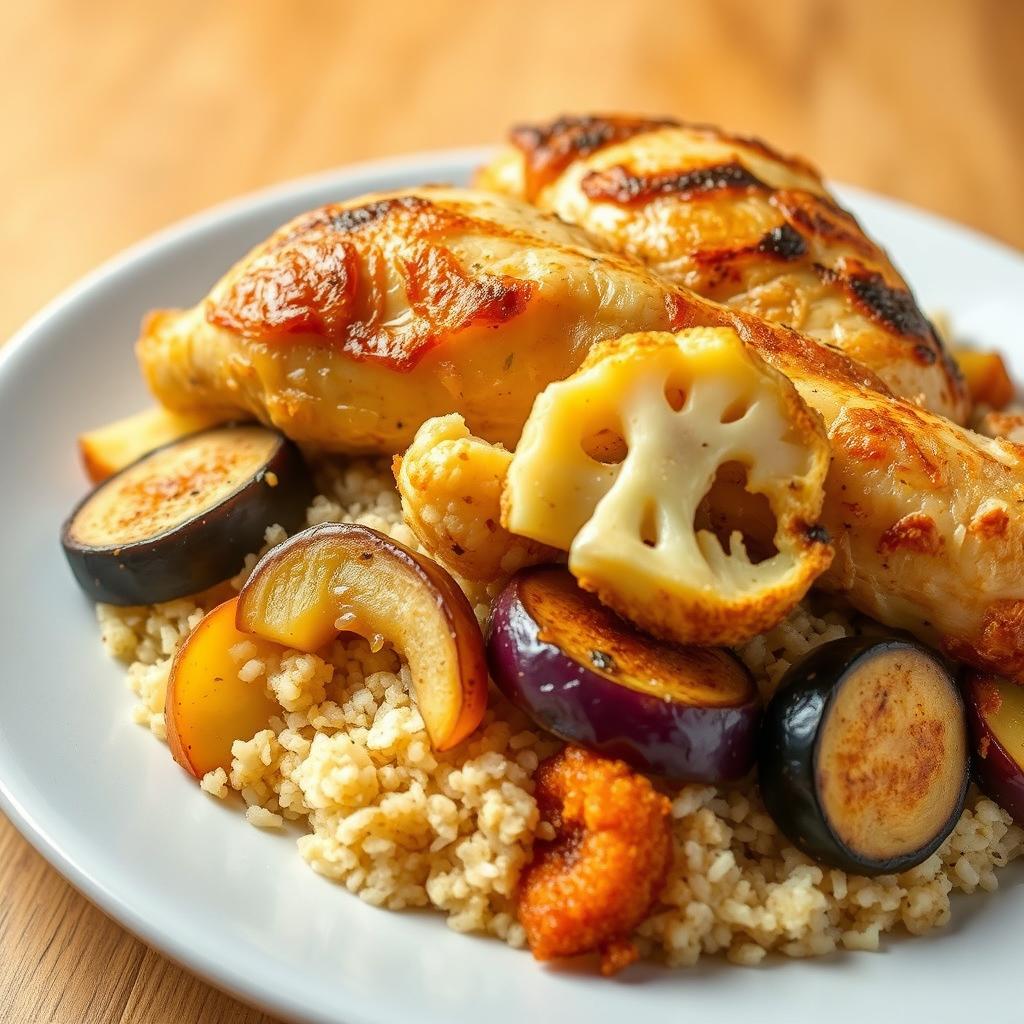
column 740, row 224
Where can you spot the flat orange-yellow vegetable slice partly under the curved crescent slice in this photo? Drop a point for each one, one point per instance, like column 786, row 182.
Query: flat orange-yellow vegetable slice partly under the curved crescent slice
column 208, row 707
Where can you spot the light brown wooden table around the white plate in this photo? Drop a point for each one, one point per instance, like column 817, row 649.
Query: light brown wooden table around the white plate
column 120, row 118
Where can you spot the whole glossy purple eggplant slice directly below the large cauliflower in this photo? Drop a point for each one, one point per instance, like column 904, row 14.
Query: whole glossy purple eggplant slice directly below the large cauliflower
column 589, row 677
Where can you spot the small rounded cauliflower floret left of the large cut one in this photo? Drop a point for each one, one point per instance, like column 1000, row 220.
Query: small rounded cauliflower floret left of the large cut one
column 451, row 487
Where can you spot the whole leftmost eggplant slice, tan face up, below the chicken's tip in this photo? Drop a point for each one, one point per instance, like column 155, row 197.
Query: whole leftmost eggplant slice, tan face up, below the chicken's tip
column 185, row 517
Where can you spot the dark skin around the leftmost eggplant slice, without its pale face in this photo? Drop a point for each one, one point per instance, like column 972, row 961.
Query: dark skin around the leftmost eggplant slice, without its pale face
column 198, row 552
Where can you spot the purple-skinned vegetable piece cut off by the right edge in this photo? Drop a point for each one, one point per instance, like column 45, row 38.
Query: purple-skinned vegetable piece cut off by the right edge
column 996, row 716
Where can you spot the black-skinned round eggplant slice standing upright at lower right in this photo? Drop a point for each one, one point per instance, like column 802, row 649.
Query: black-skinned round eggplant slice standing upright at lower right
column 864, row 758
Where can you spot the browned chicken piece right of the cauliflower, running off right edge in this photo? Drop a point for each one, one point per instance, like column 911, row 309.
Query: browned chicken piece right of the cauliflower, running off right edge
column 926, row 517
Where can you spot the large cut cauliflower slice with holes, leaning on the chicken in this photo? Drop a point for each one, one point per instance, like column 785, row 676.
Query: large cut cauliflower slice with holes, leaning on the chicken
column 685, row 477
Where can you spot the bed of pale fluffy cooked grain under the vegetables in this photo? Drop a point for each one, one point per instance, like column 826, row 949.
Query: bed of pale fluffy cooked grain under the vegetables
column 403, row 827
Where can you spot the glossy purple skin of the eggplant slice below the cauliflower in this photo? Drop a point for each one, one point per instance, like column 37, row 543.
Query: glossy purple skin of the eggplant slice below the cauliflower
column 653, row 734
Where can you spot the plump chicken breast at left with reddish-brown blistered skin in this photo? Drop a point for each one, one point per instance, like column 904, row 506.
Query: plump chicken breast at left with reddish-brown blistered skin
column 356, row 323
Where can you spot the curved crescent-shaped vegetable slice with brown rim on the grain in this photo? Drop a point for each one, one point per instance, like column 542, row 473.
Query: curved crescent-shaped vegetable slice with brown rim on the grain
column 347, row 577
